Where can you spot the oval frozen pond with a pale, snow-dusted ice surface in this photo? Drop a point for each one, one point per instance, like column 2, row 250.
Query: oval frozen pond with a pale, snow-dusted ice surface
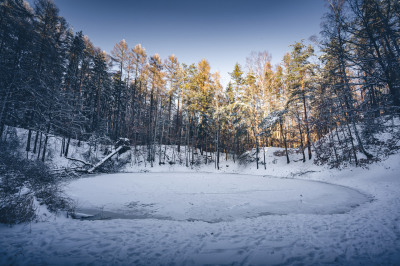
column 207, row 197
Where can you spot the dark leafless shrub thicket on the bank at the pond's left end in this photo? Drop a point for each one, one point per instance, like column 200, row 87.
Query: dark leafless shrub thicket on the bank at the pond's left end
column 23, row 180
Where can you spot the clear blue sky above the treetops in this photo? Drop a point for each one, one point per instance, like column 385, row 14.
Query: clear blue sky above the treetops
column 222, row 31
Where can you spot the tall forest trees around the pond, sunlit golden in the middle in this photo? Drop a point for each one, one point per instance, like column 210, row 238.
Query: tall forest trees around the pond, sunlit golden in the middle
column 55, row 81
